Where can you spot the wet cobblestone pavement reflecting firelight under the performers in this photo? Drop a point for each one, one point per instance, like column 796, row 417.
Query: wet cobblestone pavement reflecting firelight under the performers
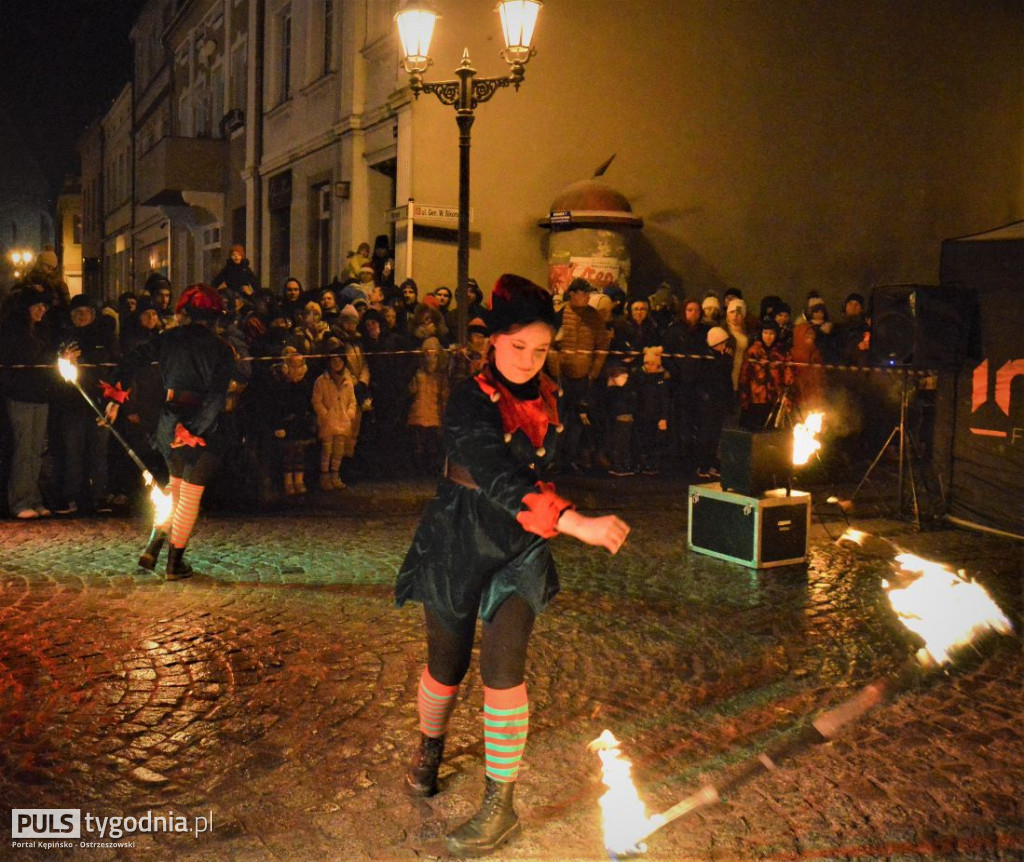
column 276, row 693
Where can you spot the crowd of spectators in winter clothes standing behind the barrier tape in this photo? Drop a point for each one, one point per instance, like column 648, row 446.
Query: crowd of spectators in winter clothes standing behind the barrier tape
column 351, row 380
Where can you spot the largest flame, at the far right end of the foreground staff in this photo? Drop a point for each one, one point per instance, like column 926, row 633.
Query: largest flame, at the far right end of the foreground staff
column 943, row 607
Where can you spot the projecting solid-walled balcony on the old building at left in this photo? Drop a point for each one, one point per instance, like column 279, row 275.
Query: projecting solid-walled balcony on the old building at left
column 178, row 165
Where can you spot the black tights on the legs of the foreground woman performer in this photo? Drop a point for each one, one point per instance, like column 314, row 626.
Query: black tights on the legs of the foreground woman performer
column 503, row 646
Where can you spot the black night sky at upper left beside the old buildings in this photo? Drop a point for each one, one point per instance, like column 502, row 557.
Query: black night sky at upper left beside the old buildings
column 62, row 65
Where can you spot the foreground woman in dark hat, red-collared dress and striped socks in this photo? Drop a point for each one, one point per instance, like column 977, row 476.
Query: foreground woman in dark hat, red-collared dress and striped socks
column 482, row 550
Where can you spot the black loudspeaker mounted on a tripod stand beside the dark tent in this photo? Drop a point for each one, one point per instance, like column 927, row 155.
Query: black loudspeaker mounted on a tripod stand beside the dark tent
column 924, row 326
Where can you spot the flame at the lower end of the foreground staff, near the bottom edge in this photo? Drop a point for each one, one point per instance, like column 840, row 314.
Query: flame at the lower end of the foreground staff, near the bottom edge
column 624, row 814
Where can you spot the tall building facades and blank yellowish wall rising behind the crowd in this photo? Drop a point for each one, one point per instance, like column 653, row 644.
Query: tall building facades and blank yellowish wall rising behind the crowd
column 778, row 150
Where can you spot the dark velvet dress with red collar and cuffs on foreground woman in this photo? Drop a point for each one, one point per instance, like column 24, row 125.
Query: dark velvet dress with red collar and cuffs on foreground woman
column 484, row 537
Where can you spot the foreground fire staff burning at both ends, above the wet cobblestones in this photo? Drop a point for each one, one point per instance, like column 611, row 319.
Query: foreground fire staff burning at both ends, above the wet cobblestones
column 944, row 608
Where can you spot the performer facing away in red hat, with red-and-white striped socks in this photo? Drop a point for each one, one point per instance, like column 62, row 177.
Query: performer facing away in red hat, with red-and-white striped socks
column 196, row 367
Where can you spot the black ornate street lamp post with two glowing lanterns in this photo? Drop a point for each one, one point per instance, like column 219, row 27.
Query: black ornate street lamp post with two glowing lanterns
column 416, row 24
